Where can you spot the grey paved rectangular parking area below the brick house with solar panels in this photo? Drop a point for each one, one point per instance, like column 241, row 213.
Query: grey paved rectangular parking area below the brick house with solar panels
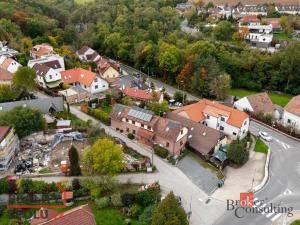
column 200, row 176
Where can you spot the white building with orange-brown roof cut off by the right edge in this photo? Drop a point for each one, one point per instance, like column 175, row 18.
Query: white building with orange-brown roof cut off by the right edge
column 291, row 114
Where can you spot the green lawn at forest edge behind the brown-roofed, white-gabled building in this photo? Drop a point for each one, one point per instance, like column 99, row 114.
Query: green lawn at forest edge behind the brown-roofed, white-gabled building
column 278, row 99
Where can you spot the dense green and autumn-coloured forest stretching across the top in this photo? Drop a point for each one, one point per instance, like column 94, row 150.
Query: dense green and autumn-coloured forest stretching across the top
column 147, row 35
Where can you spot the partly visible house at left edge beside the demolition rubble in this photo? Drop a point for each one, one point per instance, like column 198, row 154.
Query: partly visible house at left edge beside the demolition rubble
column 9, row 145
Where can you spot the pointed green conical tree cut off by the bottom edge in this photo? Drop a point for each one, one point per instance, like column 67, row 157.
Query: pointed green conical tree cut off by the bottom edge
column 169, row 212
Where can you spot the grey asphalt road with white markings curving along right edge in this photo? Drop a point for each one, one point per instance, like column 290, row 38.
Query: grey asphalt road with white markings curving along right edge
column 283, row 186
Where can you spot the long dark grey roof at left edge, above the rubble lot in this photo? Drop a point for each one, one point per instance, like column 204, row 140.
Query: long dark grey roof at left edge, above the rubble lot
column 44, row 105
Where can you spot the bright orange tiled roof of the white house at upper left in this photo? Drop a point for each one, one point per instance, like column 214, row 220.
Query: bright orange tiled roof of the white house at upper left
column 80, row 75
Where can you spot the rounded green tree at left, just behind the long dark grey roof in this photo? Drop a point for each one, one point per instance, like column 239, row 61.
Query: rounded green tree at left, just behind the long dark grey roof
column 24, row 80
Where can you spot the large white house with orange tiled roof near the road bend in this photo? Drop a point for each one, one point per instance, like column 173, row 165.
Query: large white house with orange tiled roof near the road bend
column 230, row 121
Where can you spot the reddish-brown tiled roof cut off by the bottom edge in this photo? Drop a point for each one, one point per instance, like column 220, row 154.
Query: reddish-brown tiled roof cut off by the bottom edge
column 81, row 215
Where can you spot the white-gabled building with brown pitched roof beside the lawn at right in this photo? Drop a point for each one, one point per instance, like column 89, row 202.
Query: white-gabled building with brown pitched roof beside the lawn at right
column 256, row 103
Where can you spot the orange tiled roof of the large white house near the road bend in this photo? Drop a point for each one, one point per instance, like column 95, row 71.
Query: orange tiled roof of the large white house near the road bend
column 197, row 110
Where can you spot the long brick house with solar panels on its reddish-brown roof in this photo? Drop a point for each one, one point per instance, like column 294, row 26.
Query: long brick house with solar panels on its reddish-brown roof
column 149, row 128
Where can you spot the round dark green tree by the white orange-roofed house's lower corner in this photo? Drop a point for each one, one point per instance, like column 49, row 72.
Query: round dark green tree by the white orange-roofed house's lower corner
column 237, row 152
